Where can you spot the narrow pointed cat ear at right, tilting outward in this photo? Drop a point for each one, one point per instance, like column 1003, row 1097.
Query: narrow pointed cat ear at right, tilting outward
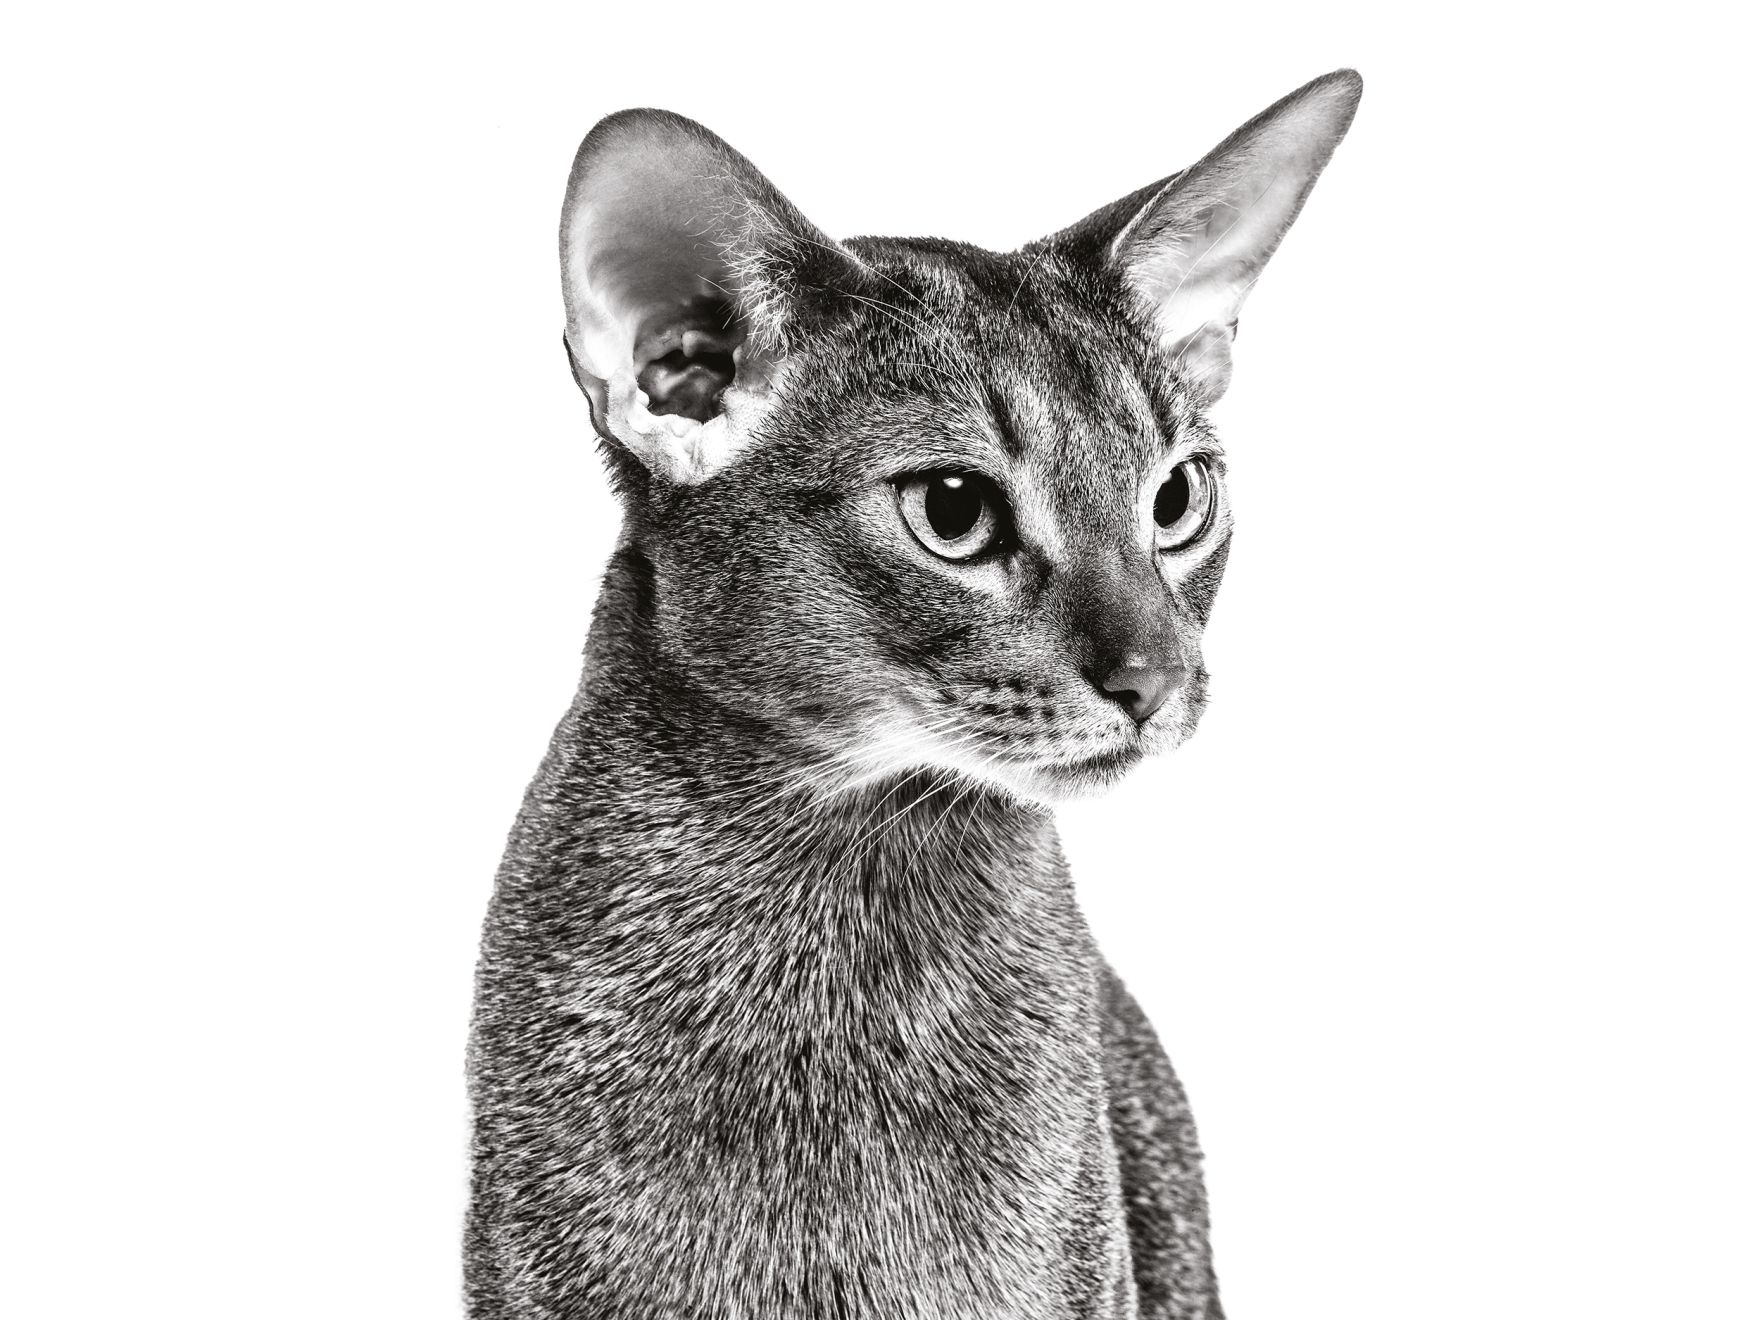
column 1194, row 246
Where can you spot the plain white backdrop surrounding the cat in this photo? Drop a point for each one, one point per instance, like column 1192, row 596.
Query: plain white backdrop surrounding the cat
column 1446, row 916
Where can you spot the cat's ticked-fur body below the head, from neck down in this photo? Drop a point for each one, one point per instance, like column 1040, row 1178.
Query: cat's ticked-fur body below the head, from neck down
column 784, row 1069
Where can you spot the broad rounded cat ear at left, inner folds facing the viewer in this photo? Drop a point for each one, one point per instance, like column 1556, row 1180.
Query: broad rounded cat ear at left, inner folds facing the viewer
column 684, row 275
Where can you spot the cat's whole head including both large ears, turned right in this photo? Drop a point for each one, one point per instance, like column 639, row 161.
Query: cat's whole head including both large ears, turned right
column 907, row 501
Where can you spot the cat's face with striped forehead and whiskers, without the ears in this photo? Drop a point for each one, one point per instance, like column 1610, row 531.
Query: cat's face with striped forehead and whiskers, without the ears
column 944, row 543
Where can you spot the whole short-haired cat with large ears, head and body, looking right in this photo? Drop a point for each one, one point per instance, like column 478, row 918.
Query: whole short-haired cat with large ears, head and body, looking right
column 786, row 1009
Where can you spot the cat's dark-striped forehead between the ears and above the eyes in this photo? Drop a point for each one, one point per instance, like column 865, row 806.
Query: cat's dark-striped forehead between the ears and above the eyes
column 1022, row 356
